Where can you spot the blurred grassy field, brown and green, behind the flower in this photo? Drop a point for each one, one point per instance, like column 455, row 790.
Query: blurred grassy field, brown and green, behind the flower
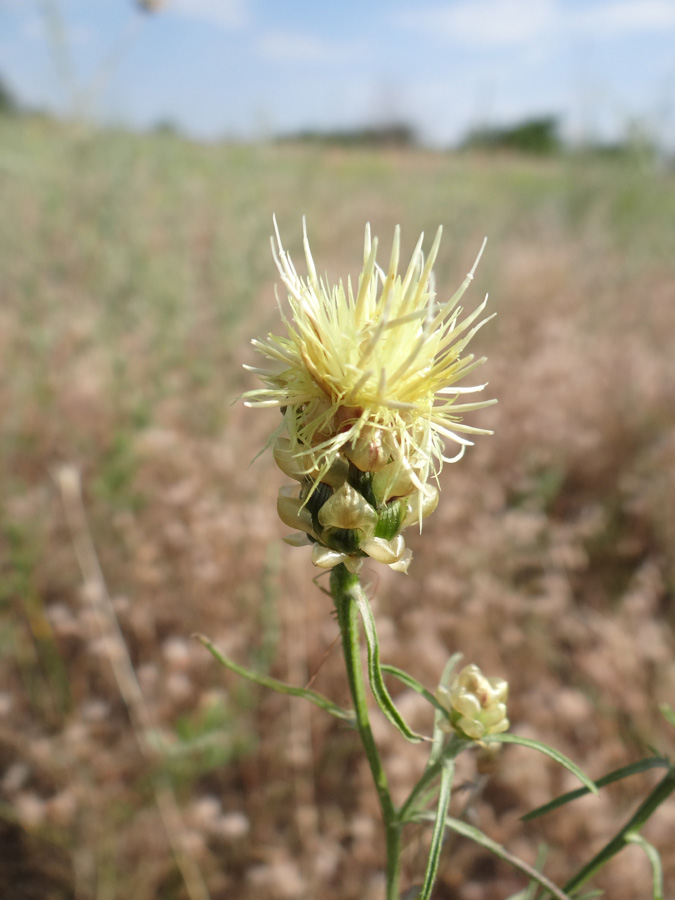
column 133, row 273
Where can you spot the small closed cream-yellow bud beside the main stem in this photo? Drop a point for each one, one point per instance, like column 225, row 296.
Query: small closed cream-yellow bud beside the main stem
column 476, row 705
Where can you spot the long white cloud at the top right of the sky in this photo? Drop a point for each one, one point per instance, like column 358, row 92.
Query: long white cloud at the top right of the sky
column 517, row 22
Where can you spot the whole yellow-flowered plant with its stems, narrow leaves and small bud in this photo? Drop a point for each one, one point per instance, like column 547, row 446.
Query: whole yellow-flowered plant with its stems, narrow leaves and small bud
column 370, row 383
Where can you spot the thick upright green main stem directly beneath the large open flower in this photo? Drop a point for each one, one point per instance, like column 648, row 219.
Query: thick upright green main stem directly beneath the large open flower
column 345, row 589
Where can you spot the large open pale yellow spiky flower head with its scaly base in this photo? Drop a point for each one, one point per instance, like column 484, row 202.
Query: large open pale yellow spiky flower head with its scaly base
column 366, row 381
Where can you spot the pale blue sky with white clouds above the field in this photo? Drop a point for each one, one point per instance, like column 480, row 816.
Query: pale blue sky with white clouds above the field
column 249, row 68
